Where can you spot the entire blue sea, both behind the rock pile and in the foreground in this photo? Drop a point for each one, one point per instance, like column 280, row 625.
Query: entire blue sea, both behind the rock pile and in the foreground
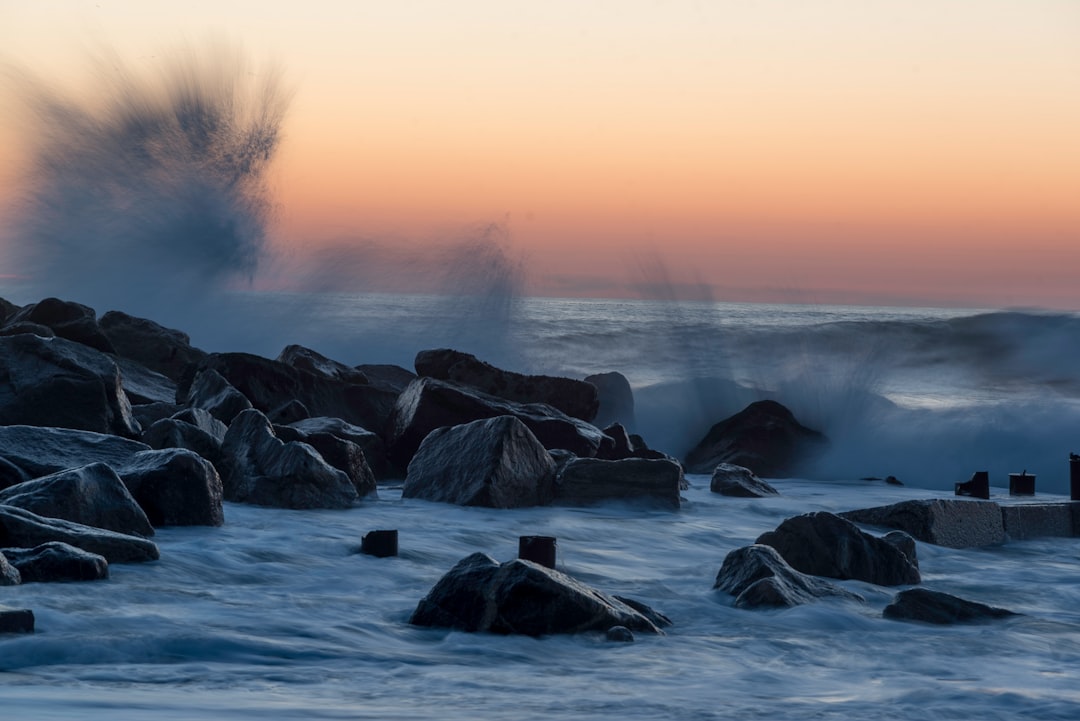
column 275, row 616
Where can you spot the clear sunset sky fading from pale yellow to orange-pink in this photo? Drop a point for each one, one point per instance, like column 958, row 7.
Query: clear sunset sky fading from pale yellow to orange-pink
column 852, row 152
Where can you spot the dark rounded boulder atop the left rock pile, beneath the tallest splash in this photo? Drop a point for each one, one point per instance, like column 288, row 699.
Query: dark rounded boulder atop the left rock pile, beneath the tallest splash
column 160, row 349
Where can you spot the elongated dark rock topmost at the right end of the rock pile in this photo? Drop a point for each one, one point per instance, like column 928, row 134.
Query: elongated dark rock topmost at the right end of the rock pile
column 574, row 398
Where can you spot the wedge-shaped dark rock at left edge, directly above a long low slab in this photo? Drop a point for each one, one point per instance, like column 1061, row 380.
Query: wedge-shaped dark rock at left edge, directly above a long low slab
column 91, row 496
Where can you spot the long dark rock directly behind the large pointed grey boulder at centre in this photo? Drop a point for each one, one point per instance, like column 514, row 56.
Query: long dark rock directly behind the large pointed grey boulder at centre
column 429, row 404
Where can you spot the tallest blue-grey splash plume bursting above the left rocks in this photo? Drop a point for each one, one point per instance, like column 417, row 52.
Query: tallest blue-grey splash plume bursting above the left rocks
column 150, row 193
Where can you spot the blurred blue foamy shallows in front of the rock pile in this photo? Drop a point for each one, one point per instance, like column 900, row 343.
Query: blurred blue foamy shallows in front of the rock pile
column 274, row 617
